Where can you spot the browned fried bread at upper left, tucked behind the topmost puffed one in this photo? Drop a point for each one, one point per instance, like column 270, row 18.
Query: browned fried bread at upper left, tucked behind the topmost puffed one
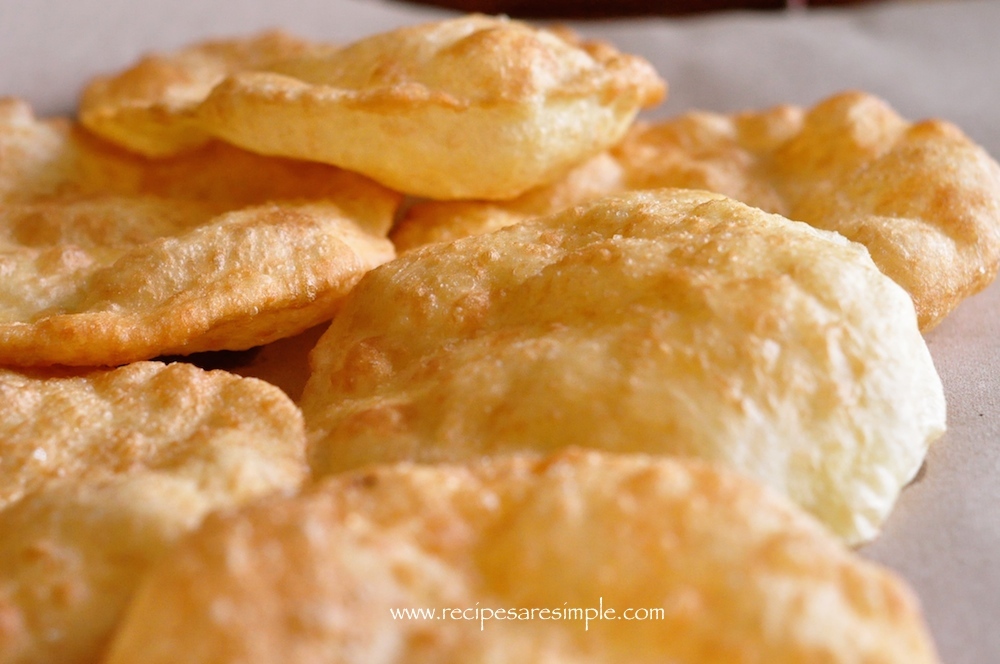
column 148, row 108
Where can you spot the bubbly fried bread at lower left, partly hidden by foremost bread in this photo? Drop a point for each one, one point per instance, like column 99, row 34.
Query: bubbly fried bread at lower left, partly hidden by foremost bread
column 103, row 471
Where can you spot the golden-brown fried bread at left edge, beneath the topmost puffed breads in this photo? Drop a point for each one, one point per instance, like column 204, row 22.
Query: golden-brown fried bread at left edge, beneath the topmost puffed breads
column 109, row 258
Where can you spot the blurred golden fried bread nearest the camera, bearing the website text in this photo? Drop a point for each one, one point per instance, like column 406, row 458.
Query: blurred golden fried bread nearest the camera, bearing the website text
column 741, row 576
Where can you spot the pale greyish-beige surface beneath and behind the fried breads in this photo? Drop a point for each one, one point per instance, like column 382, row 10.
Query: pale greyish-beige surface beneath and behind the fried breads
column 931, row 58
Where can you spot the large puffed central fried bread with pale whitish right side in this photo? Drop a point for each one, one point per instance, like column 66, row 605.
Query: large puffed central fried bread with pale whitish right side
column 673, row 322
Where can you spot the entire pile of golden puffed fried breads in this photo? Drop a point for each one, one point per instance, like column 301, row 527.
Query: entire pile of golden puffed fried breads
column 592, row 389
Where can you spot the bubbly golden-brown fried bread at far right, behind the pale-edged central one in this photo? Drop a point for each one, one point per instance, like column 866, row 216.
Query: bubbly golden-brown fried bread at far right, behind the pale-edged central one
column 922, row 197
